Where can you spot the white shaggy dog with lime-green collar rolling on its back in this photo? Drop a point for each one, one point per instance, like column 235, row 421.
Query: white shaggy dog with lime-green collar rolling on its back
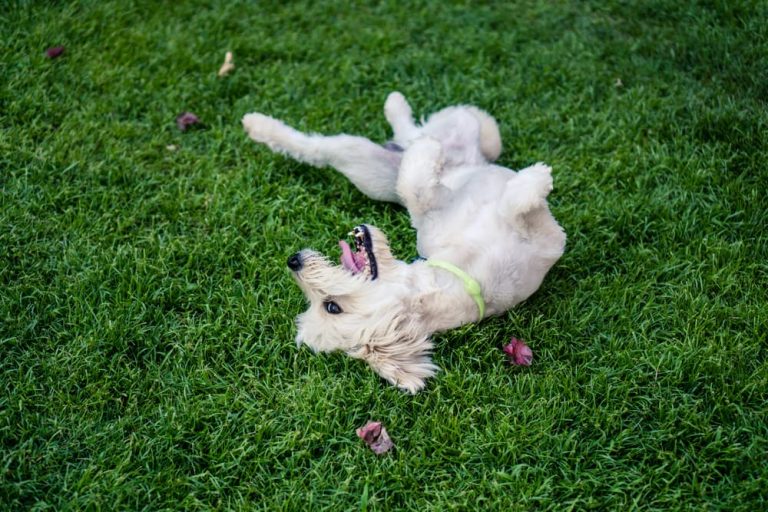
column 485, row 232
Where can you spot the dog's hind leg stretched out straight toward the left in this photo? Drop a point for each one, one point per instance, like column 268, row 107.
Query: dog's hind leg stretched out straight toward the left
column 370, row 167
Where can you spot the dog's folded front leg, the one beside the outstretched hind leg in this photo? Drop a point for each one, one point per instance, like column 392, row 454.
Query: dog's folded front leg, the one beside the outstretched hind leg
column 418, row 183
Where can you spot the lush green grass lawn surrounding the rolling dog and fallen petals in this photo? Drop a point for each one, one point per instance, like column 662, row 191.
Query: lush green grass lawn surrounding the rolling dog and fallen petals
column 146, row 313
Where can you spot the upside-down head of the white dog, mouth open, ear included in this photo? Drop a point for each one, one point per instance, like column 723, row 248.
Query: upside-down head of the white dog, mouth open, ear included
column 364, row 307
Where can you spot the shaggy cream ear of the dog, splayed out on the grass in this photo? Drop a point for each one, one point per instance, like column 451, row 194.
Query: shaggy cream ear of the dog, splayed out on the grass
column 404, row 360
